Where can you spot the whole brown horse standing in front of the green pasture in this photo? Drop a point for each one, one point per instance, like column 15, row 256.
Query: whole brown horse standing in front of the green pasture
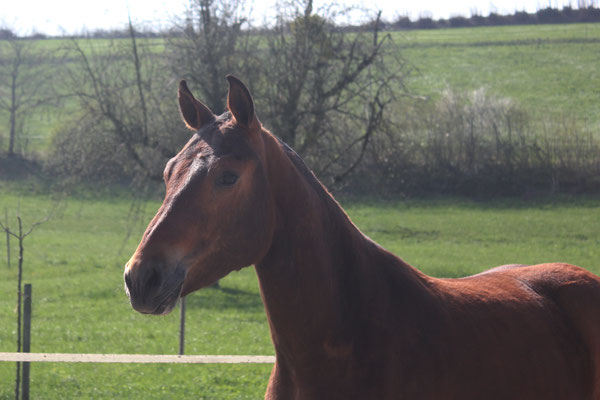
column 348, row 319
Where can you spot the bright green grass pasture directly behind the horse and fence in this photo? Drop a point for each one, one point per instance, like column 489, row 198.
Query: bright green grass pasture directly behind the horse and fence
column 76, row 268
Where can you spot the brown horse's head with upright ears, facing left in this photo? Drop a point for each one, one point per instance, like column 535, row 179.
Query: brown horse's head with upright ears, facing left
column 217, row 214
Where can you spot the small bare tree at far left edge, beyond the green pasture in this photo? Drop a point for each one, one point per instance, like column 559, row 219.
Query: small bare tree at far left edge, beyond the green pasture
column 24, row 84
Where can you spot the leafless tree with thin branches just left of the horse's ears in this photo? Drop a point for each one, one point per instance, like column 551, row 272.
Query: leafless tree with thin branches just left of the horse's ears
column 126, row 127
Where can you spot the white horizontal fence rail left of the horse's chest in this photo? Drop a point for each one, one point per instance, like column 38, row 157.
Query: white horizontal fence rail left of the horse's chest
column 135, row 358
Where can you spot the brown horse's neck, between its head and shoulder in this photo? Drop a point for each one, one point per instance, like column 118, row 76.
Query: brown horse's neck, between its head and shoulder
column 321, row 270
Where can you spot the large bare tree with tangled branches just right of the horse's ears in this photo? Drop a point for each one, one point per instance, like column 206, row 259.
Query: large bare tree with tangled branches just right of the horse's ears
column 328, row 90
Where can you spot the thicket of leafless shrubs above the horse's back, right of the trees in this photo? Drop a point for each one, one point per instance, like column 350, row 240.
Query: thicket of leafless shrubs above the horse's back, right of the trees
column 478, row 144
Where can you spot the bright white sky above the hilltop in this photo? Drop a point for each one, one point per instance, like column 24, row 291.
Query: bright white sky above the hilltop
column 74, row 16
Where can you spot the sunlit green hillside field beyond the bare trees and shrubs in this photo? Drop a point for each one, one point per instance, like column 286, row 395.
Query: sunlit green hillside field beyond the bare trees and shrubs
column 551, row 70
